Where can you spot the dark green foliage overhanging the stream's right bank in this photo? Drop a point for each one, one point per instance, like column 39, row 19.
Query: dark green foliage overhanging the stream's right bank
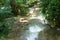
column 51, row 9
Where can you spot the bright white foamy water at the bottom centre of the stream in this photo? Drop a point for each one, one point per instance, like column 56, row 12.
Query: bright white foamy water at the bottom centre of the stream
column 34, row 31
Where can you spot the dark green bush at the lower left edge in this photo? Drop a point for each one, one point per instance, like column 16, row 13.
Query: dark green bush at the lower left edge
column 4, row 30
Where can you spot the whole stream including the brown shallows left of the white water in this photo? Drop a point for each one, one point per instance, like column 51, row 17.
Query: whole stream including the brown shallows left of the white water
column 36, row 28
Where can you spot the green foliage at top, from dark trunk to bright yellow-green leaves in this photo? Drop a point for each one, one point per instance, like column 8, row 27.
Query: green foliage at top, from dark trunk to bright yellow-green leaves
column 21, row 6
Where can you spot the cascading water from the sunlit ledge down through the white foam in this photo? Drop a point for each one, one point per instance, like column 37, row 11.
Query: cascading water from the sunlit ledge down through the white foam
column 34, row 27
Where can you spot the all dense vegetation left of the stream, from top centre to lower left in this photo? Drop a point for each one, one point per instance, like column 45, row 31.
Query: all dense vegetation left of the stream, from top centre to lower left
column 11, row 8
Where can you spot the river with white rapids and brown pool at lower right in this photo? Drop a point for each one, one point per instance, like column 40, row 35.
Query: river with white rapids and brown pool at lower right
column 38, row 30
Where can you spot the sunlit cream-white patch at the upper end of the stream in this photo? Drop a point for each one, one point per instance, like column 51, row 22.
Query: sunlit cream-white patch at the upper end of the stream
column 40, row 16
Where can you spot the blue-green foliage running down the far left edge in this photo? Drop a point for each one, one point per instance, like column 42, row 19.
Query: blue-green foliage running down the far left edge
column 5, row 12
